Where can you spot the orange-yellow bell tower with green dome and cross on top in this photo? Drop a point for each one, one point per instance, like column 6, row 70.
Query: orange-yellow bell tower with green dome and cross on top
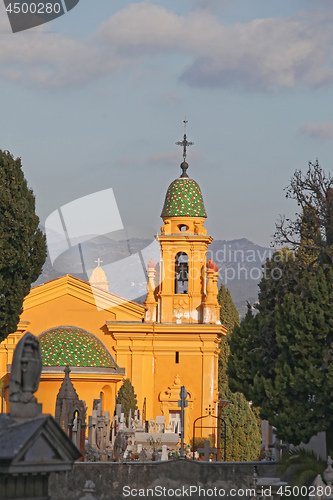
column 181, row 295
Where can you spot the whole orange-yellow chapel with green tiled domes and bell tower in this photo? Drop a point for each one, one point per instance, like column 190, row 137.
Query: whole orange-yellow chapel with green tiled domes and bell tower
column 170, row 341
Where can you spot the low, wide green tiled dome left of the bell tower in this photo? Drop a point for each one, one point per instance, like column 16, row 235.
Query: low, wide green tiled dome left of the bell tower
column 67, row 345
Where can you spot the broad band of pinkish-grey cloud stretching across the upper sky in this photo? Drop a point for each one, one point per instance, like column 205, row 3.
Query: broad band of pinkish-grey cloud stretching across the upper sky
column 263, row 54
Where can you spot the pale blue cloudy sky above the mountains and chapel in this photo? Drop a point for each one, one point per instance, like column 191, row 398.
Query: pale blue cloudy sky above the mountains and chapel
column 95, row 100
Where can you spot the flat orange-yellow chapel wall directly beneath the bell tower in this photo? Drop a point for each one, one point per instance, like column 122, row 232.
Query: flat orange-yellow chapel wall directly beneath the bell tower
column 148, row 354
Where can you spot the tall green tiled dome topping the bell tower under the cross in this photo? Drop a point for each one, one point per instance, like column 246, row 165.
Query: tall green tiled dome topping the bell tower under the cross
column 183, row 199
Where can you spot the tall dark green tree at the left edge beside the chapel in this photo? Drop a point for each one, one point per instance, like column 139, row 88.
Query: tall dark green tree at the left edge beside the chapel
column 22, row 244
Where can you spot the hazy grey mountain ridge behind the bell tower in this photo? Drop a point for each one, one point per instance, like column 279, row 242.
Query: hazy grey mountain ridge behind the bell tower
column 239, row 261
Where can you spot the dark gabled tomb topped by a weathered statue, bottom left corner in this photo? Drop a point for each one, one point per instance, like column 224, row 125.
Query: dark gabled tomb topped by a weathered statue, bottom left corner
column 32, row 445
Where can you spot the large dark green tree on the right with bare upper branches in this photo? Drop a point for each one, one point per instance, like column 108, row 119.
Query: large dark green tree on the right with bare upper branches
column 281, row 358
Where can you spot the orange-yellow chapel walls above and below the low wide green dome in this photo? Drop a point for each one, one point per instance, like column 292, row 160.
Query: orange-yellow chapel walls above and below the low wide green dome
column 44, row 310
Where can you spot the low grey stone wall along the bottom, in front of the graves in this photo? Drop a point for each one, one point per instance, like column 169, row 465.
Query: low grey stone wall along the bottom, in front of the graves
column 120, row 481
